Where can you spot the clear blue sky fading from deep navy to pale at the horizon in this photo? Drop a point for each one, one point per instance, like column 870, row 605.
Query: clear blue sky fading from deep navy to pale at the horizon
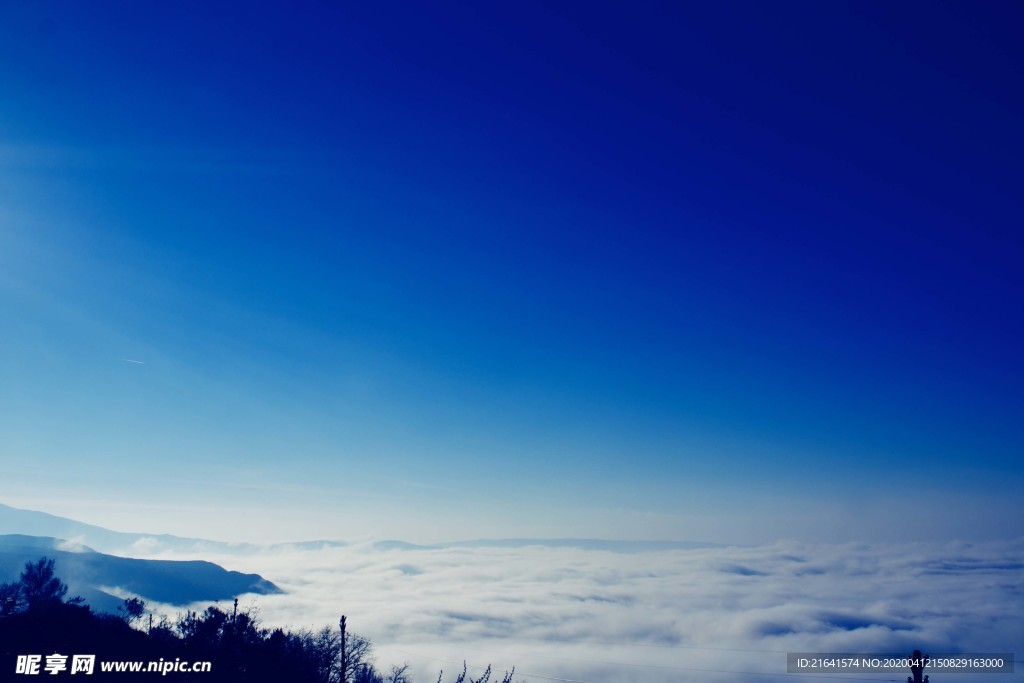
column 716, row 273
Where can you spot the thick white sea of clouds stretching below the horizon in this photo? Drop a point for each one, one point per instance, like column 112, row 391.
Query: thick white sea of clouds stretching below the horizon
column 602, row 617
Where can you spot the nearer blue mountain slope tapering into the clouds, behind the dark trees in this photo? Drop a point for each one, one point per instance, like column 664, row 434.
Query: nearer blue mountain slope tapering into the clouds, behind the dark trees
column 89, row 573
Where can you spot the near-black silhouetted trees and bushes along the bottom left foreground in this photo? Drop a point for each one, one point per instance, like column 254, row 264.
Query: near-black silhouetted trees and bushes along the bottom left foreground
column 37, row 619
